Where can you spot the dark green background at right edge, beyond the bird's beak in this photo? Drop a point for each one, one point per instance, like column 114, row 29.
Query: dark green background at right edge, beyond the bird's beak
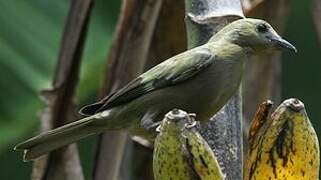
column 301, row 73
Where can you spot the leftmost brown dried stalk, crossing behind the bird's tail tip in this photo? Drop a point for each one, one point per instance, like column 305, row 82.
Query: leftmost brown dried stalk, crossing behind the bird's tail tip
column 64, row 163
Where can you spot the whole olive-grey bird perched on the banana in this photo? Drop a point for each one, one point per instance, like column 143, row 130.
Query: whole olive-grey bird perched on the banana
column 200, row 80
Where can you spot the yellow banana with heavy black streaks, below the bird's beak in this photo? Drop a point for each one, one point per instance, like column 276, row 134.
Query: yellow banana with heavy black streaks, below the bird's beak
column 282, row 145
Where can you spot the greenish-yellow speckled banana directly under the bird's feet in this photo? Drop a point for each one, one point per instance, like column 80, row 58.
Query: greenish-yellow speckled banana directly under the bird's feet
column 180, row 152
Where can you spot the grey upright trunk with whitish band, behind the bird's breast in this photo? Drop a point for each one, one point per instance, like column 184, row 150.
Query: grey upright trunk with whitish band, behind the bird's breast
column 223, row 132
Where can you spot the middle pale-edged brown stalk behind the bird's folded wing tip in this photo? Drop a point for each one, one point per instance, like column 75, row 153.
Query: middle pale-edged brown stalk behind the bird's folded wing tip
column 126, row 61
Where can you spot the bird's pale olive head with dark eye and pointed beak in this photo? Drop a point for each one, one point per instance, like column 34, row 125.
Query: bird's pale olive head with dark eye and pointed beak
column 255, row 34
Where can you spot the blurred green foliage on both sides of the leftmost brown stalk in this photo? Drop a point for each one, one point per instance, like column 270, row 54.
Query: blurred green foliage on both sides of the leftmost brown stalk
column 30, row 36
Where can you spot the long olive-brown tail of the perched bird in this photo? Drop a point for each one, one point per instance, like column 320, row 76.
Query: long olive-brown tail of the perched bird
column 56, row 138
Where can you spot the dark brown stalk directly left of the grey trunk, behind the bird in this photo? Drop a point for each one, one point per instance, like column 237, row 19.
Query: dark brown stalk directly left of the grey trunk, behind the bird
column 168, row 40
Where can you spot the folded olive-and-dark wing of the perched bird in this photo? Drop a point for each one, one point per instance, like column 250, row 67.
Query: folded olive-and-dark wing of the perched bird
column 168, row 73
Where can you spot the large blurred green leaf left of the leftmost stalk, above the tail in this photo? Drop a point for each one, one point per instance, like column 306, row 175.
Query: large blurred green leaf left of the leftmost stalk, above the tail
column 29, row 43
